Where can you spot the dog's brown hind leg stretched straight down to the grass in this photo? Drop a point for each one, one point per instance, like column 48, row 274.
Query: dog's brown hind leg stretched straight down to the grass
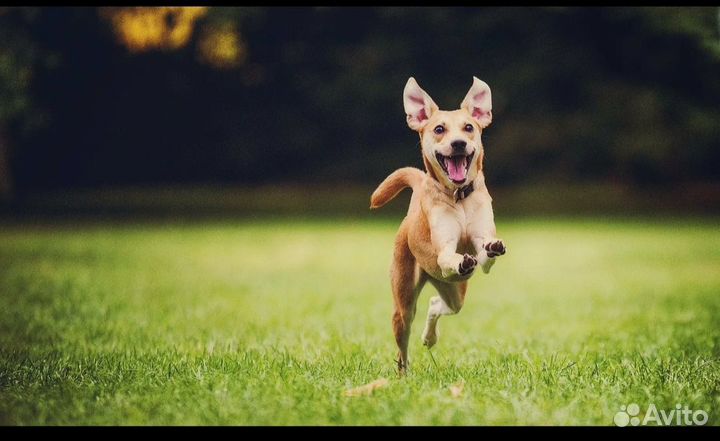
column 407, row 281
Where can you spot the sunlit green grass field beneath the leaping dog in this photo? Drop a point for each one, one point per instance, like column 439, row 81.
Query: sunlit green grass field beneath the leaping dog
column 269, row 321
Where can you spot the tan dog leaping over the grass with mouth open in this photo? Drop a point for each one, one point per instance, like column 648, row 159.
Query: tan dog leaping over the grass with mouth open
column 449, row 228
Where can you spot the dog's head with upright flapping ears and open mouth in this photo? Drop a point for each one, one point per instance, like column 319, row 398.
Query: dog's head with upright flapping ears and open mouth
column 450, row 140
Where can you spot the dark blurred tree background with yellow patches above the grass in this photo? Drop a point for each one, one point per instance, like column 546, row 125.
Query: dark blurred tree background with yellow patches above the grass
column 298, row 110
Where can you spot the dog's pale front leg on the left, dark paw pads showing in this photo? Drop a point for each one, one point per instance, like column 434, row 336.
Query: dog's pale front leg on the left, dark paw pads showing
column 445, row 233
